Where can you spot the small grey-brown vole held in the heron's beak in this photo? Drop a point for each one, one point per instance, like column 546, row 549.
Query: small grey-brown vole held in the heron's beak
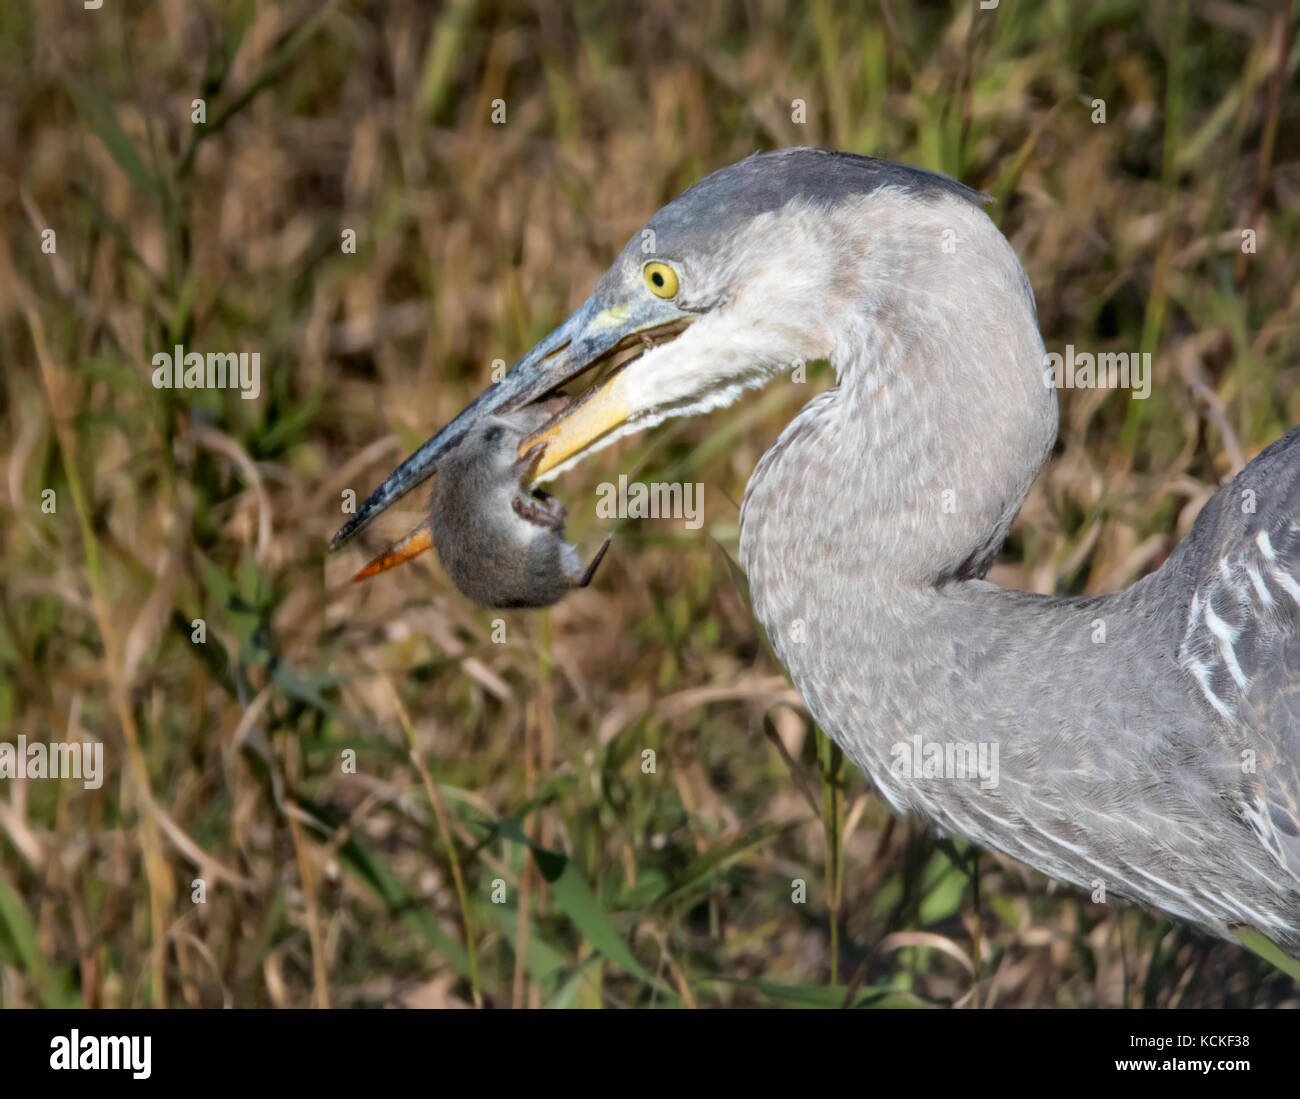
column 502, row 544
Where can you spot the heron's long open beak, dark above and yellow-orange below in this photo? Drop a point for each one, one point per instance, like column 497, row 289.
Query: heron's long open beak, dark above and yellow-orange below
column 592, row 336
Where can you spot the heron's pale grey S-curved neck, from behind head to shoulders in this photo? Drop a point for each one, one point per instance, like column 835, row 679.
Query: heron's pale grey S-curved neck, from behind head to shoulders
column 911, row 473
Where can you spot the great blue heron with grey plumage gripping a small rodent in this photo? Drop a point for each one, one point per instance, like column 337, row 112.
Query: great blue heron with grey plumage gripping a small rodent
column 1158, row 755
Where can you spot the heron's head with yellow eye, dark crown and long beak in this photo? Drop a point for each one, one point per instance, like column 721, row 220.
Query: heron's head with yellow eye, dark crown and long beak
column 740, row 278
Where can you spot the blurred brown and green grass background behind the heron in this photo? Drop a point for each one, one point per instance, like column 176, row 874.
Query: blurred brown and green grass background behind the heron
column 227, row 760
